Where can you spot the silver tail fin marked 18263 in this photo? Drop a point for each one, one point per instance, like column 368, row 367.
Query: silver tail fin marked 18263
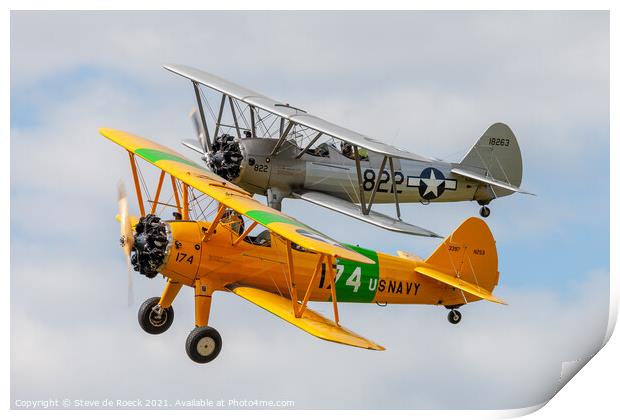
column 496, row 155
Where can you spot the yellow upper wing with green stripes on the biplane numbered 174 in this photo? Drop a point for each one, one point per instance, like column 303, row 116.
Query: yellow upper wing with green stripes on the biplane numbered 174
column 231, row 195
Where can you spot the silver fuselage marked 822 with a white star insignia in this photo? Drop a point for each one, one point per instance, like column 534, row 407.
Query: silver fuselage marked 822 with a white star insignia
column 335, row 174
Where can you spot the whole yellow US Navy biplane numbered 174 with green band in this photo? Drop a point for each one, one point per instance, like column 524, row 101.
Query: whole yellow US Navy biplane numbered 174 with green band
column 284, row 267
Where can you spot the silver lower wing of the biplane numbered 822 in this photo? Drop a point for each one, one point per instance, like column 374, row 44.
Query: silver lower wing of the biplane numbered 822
column 353, row 210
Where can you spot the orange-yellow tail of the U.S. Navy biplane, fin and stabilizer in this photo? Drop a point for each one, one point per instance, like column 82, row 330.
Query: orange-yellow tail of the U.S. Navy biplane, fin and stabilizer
column 467, row 260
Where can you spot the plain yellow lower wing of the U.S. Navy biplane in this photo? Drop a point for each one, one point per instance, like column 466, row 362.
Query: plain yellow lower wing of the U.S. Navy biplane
column 310, row 321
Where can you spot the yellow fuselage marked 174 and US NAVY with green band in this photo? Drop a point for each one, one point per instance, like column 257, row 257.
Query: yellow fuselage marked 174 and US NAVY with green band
column 390, row 280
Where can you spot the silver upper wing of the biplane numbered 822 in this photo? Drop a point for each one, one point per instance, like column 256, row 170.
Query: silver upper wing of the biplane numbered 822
column 291, row 113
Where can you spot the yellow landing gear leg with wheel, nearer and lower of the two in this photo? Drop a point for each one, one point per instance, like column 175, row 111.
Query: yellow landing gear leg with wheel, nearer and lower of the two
column 204, row 343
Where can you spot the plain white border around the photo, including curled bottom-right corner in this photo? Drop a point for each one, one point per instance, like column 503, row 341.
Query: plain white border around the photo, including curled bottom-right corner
column 592, row 393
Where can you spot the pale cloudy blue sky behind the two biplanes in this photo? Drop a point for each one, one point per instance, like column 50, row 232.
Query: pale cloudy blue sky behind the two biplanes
column 428, row 82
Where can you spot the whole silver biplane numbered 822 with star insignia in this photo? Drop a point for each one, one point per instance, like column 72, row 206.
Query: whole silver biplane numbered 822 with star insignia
column 280, row 151
